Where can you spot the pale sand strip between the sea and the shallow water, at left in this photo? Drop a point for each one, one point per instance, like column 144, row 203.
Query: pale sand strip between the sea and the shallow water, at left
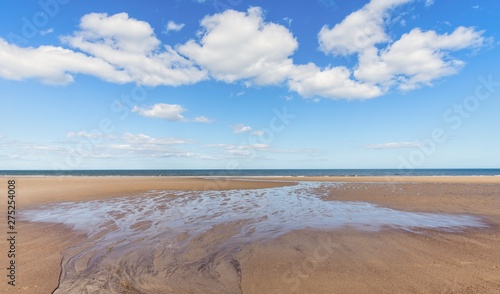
column 39, row 190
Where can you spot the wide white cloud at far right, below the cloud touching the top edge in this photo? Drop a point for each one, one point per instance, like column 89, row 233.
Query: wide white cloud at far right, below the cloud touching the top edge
column 417, row 58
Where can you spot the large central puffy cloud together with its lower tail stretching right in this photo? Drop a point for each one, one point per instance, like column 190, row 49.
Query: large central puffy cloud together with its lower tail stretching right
column 242, row 46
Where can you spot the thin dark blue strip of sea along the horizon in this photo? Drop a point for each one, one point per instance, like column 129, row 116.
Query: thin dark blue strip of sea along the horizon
column 258, row 172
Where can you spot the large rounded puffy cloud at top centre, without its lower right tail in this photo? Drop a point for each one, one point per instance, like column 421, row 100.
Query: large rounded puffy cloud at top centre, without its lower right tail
column 241, row 46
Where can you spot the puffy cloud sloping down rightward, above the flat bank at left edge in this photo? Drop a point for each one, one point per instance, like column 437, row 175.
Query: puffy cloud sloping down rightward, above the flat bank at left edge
column 131, row 45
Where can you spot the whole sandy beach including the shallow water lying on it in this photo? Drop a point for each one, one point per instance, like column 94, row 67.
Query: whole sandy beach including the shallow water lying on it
column 418, row 241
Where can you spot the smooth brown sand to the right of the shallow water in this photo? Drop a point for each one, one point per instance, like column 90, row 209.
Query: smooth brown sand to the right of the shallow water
column 389, row 261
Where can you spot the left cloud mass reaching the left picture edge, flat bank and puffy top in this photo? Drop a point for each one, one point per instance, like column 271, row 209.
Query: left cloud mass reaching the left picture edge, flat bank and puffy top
column 115, row 48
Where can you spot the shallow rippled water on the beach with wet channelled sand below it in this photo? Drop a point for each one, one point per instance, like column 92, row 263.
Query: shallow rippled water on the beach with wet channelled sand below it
column 164, row 241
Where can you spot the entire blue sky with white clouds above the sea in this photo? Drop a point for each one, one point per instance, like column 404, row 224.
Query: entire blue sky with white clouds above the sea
column 240, row 84
